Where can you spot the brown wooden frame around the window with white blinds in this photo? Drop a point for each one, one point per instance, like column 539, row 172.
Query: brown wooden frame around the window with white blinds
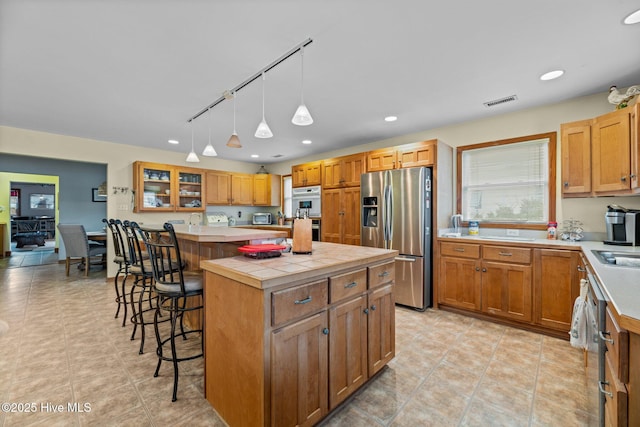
column 552, row 149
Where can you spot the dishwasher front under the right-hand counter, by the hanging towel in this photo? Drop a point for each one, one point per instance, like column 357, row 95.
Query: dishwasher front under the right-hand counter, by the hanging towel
column 597, row 306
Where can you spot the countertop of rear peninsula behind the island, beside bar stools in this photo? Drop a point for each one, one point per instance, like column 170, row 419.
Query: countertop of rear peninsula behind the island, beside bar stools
column 203, row 233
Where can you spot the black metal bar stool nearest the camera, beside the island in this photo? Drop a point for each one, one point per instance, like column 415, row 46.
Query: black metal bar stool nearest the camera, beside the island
column 173, row 286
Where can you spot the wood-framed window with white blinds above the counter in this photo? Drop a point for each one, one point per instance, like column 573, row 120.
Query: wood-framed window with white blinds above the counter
column 508, row 183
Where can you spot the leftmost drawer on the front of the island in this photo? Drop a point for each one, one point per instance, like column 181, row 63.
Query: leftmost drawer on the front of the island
column 299, row 301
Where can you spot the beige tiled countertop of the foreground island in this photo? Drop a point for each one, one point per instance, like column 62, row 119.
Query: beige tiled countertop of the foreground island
column 325, row 259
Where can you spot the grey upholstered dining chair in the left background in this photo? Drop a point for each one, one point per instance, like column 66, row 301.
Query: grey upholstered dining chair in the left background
column 77, row 247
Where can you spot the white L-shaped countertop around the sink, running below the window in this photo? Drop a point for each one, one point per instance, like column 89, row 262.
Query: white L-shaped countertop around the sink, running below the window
column 621, row 285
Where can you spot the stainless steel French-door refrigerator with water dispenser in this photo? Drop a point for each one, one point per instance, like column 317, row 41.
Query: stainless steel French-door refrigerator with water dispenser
column 396, row 214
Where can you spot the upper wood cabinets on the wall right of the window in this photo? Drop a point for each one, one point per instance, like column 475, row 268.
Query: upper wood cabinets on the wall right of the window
column 600, row 156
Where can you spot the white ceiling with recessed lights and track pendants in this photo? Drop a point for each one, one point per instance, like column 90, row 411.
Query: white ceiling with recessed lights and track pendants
column 134, row 72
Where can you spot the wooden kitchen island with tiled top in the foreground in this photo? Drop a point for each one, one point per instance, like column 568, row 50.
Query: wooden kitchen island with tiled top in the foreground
column 288, row 339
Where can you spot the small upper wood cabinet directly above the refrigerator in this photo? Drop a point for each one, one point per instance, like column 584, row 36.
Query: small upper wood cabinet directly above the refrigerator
column 402, row 156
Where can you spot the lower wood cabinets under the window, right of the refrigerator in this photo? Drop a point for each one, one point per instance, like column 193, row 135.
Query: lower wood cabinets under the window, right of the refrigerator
column 530, row 286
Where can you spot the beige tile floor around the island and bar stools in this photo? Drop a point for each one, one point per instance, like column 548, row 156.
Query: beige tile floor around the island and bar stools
column 65, row 346
